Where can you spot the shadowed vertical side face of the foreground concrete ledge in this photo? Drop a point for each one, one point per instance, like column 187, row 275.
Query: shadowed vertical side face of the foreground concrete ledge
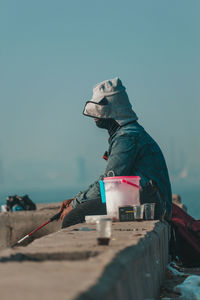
column 136, row 272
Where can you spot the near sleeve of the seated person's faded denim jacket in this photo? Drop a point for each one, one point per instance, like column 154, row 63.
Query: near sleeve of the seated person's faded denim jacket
column 120, row 163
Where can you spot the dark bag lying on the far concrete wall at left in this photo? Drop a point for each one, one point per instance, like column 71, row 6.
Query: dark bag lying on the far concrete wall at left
column 25, row 202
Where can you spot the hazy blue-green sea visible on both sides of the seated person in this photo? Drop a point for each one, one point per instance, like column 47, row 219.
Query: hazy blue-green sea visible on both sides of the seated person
column 190, row 195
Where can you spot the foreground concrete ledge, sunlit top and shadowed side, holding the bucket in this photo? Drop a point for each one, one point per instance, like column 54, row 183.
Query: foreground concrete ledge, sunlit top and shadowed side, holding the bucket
column 69, row 264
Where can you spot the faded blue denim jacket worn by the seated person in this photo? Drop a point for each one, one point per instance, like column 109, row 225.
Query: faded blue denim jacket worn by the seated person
column 132, row 152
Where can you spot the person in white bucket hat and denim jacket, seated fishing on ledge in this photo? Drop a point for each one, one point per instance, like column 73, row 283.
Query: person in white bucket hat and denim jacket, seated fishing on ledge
column 132, row 152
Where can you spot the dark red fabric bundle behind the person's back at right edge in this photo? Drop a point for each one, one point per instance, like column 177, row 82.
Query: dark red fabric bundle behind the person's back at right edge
column 185, row 241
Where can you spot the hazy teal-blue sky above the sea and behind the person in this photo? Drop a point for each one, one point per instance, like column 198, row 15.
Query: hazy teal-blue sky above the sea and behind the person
column 52, row 53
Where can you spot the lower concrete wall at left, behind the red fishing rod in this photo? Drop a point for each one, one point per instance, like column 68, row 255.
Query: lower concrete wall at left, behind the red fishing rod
column 15, row 225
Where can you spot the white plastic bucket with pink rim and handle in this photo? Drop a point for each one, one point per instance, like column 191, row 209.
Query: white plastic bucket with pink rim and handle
column 119, row 191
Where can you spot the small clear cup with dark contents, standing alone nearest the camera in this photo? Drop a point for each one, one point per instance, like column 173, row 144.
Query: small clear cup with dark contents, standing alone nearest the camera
column 104, row 231
